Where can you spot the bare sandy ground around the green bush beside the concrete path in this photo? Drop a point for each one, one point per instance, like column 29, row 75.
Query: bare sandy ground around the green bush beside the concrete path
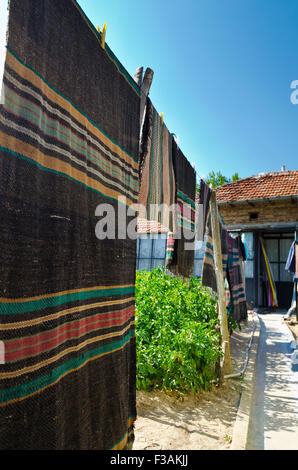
column 201, row 422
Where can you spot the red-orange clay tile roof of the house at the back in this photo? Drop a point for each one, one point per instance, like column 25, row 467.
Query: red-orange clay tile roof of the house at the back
column 264, row 185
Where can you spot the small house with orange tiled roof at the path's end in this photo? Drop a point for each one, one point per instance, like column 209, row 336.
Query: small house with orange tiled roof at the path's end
column 263, row 207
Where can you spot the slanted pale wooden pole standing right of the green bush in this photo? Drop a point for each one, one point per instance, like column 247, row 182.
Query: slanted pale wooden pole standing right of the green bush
column 223, row 319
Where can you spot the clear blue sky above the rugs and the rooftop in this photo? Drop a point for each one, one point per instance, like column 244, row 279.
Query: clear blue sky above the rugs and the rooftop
column 223, row 70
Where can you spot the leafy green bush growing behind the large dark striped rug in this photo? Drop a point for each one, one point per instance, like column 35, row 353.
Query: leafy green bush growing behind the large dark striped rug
column 177, row 332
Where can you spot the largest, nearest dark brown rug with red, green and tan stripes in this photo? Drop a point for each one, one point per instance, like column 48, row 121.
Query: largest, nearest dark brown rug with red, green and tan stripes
column 69, row 136
